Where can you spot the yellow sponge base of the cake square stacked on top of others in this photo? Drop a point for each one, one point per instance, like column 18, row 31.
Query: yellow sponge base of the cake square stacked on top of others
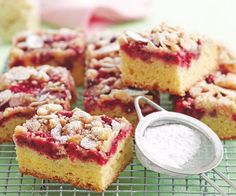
column 157, row 75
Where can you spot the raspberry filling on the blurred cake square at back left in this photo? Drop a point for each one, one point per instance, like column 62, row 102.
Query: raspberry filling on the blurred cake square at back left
column 73, row 52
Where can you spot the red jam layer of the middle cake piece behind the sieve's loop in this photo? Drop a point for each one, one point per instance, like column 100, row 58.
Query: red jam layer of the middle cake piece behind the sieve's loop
column 92, row 102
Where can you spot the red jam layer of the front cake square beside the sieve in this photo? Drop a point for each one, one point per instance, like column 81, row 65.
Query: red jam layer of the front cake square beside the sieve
column 44, row 144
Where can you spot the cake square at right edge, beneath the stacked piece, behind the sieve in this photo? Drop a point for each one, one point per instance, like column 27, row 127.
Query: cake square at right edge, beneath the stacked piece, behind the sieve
column 213, row 101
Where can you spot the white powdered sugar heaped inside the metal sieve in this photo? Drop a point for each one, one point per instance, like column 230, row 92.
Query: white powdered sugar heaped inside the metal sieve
column 171, row 144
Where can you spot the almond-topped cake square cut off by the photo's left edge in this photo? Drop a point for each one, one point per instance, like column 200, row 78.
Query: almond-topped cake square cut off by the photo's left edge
column 24, row 89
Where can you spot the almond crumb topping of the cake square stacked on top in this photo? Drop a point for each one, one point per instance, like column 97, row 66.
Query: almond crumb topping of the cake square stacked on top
column 163, row 38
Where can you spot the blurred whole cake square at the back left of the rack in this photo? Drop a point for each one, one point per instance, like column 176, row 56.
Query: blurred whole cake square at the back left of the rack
column 63, row 47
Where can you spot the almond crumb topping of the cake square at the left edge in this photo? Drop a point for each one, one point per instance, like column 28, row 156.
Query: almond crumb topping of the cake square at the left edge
column 31, row 87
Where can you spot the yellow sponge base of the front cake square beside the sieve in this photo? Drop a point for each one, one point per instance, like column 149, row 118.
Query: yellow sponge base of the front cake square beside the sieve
column 88, row 175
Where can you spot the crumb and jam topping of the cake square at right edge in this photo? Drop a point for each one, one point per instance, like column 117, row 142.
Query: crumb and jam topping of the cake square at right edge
column 216, row 92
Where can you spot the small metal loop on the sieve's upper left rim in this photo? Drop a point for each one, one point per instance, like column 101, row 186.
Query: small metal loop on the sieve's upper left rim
column 148, row 101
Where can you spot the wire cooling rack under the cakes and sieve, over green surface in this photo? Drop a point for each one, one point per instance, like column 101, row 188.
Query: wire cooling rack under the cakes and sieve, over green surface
column 134, row 180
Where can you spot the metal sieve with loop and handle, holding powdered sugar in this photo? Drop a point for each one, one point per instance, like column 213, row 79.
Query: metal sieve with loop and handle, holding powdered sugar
column 208, row 156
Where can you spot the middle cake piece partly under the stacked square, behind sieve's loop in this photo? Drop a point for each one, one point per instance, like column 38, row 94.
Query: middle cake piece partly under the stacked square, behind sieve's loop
column 105, row 93
